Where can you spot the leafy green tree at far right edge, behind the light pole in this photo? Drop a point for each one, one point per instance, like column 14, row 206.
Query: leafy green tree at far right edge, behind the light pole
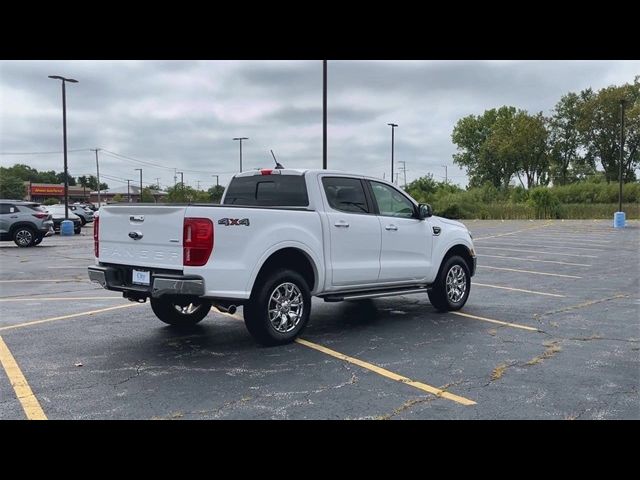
column 599, row 128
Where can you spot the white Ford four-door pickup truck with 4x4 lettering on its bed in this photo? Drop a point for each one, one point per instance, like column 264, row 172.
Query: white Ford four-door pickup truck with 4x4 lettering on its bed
column 279, row 237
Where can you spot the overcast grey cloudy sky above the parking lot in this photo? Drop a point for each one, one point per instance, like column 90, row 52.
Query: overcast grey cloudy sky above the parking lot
column 184, row 114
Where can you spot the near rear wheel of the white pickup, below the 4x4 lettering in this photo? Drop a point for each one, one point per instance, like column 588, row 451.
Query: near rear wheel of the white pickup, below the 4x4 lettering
column 257, row 317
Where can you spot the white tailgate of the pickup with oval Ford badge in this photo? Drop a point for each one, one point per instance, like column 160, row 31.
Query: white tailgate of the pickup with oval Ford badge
column 145, row 235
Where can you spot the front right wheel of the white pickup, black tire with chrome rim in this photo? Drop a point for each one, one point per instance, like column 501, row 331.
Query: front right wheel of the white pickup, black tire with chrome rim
column 444, row 301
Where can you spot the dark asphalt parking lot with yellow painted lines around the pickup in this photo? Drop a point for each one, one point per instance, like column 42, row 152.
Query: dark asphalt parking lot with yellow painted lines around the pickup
column 551, row 331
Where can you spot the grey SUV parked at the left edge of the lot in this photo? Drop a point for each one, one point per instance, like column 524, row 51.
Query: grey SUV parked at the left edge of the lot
column 24, row 223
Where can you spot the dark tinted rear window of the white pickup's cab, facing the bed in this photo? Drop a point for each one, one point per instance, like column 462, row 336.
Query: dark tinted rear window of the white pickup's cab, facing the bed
column 268, row 191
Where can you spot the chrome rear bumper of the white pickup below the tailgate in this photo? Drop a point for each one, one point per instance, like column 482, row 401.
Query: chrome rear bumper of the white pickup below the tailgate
column 161, row 283
